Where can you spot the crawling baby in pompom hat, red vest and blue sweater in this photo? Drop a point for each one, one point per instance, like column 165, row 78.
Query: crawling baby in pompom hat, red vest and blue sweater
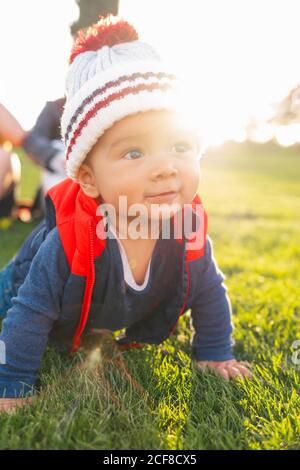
column 86, row 267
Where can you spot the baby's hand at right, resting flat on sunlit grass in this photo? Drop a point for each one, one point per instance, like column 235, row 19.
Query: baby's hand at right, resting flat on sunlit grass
column 230, row 369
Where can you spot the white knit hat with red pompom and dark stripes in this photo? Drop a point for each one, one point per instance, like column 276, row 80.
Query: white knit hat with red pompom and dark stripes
column 112, row 74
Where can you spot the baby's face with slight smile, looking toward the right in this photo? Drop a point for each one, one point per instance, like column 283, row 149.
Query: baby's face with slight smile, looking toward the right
column 143, row 156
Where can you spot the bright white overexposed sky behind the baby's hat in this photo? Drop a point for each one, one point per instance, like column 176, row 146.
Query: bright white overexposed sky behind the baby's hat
column 239, row 57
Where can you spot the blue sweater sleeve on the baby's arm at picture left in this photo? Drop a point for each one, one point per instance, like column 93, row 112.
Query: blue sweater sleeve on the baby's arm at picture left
column 28, row 322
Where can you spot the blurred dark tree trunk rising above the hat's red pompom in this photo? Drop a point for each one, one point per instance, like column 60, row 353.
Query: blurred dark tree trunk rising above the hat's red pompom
column 90, row 10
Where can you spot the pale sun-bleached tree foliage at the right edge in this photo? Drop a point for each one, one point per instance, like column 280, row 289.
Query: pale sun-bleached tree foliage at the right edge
column 288, row 110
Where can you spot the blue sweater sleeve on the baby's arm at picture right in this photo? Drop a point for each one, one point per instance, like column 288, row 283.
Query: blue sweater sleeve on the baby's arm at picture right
column 210, row 311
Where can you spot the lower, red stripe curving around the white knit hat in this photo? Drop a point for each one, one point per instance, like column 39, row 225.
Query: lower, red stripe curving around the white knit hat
column 113, row 97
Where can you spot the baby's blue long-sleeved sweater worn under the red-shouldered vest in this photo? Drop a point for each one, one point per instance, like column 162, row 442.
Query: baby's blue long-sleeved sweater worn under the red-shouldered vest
column 42, row 313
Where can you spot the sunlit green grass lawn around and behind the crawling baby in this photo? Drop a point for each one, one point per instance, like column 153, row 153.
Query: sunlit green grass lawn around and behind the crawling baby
column 252, row 196
